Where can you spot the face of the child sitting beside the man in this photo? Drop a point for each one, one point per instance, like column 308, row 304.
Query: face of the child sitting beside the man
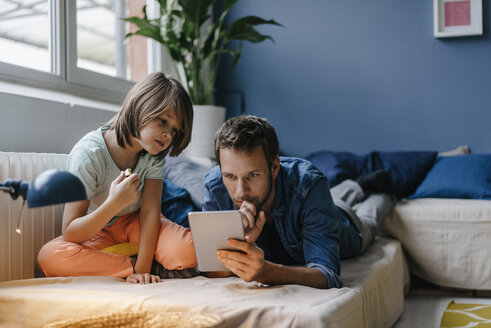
column 157, row 135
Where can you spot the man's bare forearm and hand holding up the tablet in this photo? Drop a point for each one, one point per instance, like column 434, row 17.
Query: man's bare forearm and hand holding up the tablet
column 251, row 266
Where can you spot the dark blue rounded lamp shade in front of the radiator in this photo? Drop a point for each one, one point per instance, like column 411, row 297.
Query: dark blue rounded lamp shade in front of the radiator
column 54, row 187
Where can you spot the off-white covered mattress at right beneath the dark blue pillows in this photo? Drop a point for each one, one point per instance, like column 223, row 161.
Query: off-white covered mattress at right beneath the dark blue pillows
column 447, row 241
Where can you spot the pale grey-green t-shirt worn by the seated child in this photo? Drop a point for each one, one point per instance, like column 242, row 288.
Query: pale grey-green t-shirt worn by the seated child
column 91, row 162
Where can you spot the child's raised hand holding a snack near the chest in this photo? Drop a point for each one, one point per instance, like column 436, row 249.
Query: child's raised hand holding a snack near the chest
column 124, row 191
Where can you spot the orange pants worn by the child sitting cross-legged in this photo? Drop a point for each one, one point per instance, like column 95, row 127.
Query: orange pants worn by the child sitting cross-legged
column 59, row 258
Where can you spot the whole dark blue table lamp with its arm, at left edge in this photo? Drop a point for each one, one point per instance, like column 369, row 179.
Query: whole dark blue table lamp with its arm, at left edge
column 48, row 188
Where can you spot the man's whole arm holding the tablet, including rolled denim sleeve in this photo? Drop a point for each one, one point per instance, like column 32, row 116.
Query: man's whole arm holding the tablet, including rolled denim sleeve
column 321, row 231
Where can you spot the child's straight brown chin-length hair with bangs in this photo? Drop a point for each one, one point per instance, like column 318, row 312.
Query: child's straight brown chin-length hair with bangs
column 148, row 98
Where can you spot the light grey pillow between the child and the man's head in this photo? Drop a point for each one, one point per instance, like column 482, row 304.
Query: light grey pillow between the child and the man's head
column 188, row 174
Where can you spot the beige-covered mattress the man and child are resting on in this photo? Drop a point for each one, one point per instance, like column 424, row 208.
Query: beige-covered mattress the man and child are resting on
column 373, row 296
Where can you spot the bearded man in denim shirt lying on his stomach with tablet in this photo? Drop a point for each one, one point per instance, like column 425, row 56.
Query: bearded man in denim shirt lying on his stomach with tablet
column 295, row 233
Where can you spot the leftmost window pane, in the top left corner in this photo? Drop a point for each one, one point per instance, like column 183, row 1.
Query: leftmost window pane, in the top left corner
column 25, row 33
